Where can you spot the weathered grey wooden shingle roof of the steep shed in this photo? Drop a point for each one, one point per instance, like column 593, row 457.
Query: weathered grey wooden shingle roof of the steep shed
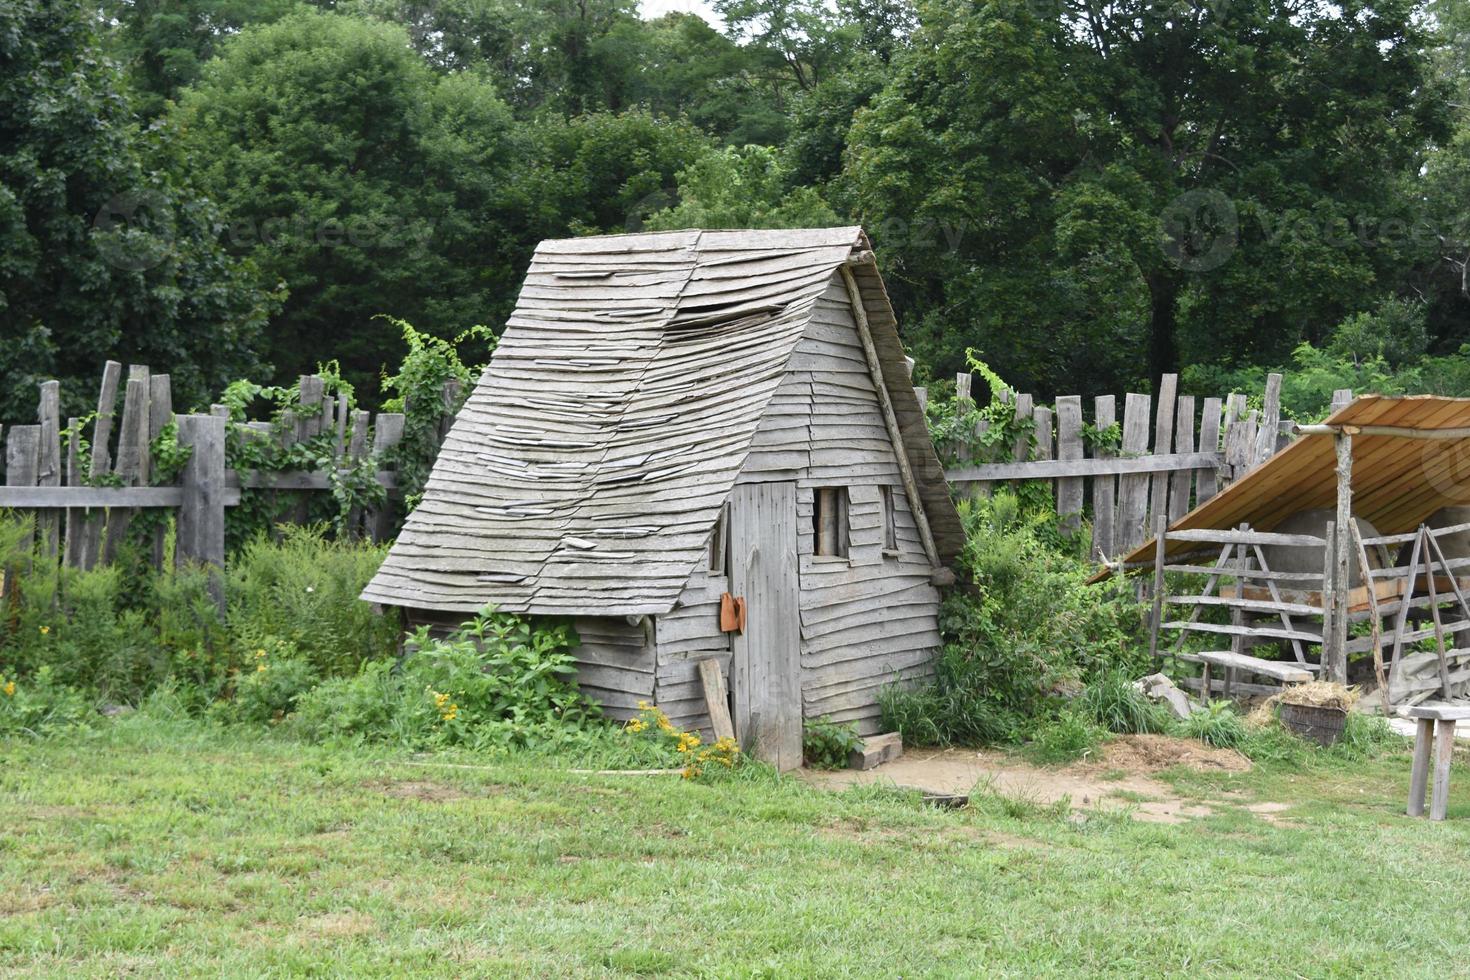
column 589, row 466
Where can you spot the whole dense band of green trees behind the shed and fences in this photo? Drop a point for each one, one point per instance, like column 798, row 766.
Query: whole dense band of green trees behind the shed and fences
column 1087, row 193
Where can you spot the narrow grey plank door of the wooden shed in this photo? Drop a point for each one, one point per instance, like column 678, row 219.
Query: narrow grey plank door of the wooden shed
column 767, row 663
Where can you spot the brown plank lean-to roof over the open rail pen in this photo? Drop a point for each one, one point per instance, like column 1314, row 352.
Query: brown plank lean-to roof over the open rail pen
column 1410, row 458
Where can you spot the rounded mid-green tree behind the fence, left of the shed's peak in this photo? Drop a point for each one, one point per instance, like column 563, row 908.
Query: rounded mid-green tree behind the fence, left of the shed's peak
column 359, row 179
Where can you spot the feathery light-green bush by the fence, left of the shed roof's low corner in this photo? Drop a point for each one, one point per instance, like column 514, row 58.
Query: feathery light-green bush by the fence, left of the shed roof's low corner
column 304, row 590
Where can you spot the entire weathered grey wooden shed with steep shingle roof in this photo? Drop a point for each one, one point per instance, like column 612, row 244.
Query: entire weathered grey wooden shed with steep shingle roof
column 677, row 418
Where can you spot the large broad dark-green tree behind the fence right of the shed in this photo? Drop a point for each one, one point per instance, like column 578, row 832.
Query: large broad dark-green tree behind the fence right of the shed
column 1094, row 193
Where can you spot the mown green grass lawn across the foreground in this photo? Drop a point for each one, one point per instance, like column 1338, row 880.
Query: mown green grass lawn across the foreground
column 176, row 849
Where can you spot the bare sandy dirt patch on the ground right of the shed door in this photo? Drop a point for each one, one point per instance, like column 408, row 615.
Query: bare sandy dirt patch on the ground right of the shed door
column 1119, row 779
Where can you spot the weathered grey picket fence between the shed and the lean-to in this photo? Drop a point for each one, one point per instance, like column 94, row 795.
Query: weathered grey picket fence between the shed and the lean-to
column 1199, row 447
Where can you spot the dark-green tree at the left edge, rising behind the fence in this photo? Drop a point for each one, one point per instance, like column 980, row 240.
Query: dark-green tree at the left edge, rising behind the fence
column 105, row 251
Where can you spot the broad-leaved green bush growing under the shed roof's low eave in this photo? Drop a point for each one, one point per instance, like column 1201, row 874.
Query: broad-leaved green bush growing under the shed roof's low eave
column 496, row 681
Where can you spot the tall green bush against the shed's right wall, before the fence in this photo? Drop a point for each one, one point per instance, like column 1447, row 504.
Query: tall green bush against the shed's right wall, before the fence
column 1021, row 627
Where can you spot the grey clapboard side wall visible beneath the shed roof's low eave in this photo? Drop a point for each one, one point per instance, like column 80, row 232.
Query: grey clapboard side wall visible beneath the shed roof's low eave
column 615, row 659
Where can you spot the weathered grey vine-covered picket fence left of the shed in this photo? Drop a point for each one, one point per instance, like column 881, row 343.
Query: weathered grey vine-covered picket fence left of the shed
column 85, row 506
